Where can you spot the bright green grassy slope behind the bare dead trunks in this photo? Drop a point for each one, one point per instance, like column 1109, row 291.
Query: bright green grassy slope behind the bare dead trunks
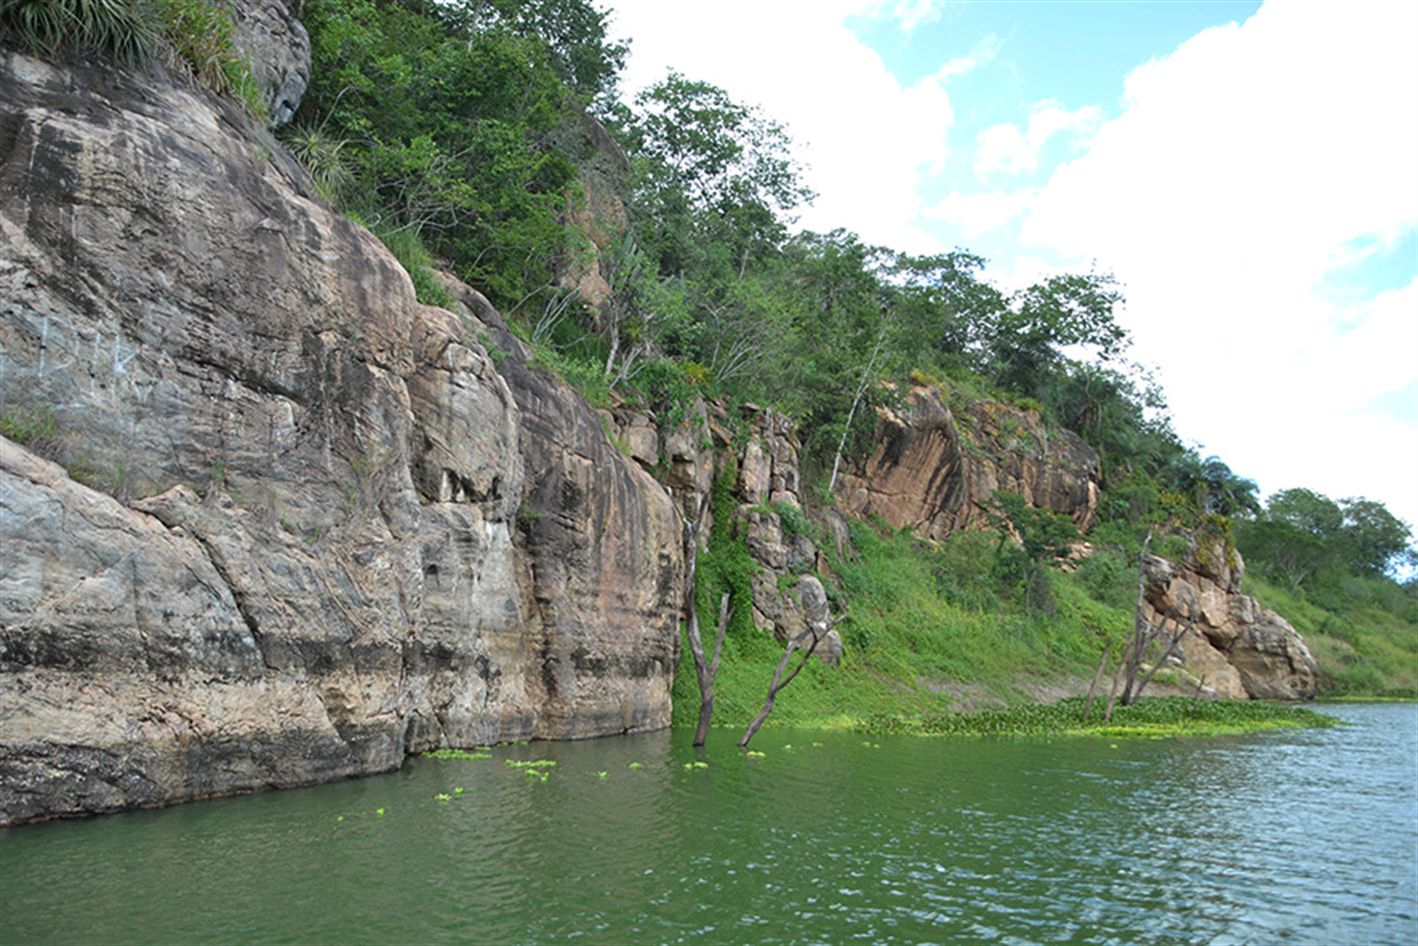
column 932, row 628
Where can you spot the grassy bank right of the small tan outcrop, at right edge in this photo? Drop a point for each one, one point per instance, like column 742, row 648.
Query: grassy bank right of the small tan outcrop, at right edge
column 1363, row 635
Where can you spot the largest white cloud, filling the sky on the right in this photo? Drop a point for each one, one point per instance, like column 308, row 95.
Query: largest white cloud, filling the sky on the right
column 1241, row 172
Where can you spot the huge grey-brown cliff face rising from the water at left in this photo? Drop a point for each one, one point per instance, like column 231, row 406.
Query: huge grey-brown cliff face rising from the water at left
column 301, row 525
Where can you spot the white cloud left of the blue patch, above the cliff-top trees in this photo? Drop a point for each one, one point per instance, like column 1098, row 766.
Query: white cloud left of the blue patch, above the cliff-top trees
column 869, row 140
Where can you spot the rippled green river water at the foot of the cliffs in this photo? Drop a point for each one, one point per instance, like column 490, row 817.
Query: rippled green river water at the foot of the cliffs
column 1297, row 838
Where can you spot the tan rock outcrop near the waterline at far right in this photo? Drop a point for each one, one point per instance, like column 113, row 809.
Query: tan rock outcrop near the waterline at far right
column 1237, row 650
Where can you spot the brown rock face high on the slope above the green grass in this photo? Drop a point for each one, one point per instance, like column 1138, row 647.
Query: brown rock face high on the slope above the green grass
column 935, row 469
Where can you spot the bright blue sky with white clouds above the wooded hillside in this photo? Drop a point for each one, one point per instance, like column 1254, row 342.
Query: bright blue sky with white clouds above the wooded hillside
column 1247, row 171
